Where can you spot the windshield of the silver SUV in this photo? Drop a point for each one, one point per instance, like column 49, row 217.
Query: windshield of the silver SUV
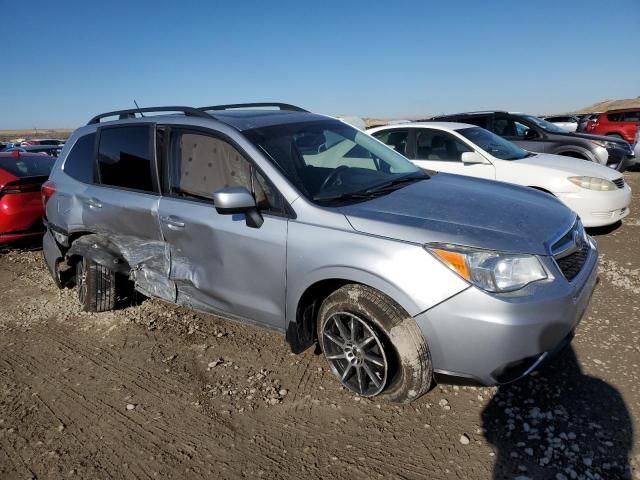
column 330, row 160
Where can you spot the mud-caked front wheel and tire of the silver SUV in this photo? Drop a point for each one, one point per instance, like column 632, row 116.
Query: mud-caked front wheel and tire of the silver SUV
column 373, row 346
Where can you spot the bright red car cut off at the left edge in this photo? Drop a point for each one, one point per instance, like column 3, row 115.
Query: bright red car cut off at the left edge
column 21, row 210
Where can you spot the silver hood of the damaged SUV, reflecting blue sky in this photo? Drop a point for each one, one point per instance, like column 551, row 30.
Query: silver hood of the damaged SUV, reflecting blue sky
column 465, row 211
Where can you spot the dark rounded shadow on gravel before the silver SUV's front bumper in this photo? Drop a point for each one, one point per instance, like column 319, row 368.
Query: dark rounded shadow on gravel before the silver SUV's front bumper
column 559, row 424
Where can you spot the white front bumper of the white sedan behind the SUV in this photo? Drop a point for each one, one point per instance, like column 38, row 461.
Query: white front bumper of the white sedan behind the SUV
column 597, row 209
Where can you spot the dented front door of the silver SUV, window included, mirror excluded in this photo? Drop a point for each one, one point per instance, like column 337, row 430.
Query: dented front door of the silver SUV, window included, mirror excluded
column 218, row 262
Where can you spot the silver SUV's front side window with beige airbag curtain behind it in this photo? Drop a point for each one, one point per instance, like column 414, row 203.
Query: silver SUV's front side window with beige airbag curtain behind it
column 203, row 164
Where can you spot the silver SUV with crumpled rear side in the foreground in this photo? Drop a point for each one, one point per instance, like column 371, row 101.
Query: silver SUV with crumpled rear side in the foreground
column 273, row 215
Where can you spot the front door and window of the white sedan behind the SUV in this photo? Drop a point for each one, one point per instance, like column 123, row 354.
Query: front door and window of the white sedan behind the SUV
column 441, row 151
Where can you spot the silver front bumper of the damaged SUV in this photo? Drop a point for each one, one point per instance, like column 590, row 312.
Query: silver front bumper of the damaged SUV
column 491, row 339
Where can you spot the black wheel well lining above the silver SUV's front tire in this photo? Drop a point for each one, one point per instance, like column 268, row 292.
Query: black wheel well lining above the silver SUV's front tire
column 301, row 334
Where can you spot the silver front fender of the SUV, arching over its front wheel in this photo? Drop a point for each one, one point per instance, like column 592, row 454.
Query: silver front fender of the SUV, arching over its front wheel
column 403, row 271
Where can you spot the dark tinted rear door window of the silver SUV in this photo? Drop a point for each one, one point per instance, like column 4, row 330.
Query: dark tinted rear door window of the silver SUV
column 125, row 158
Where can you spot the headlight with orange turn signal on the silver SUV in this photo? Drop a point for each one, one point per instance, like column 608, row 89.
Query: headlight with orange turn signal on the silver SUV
column 489, row 270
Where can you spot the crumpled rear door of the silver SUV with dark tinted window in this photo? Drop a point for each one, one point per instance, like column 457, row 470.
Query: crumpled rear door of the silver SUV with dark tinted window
column 122, row 204
